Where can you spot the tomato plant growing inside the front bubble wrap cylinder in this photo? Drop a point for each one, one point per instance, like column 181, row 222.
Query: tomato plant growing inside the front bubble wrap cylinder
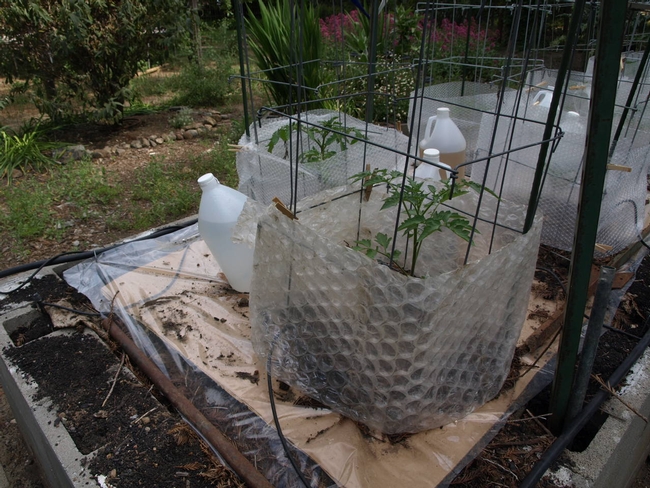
column 419, row 203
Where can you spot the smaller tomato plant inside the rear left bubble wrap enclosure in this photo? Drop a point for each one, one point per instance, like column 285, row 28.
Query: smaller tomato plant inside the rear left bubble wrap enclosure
column 322, row 139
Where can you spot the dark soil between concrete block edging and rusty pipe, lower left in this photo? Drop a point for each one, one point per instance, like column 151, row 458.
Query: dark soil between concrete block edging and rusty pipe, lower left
column 104, row 407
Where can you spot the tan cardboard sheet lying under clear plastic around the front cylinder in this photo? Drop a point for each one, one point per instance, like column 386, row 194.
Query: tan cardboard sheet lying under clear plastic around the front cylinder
column 175, row 288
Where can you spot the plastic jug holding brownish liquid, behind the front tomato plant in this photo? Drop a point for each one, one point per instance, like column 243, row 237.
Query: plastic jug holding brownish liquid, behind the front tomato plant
column 443, row 134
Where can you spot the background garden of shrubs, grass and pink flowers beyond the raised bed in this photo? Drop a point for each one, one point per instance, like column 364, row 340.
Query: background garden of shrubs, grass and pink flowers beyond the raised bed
column 98, row 73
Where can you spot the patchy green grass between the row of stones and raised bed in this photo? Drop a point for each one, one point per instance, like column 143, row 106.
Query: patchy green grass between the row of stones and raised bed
column 49, row 205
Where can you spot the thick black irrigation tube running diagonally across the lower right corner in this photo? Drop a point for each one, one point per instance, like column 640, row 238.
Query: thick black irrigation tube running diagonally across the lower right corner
column 576, row 424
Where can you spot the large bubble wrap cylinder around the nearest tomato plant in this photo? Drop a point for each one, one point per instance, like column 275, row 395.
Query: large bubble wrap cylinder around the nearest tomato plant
column 397, row 353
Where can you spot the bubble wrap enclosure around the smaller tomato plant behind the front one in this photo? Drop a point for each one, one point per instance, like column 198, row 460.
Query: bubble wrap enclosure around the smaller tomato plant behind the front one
column 264, row 175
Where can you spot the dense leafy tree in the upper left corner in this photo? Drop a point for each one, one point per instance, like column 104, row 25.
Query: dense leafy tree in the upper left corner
column 86, row 51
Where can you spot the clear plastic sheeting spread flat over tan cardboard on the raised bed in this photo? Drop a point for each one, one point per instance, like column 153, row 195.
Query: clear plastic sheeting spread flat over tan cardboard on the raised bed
column 183, row 314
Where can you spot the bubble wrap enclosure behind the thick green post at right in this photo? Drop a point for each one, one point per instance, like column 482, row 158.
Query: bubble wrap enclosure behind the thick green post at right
column 621, row 215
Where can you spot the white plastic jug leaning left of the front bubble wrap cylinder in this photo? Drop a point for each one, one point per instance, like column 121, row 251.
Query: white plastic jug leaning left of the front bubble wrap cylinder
column 218, row 213
